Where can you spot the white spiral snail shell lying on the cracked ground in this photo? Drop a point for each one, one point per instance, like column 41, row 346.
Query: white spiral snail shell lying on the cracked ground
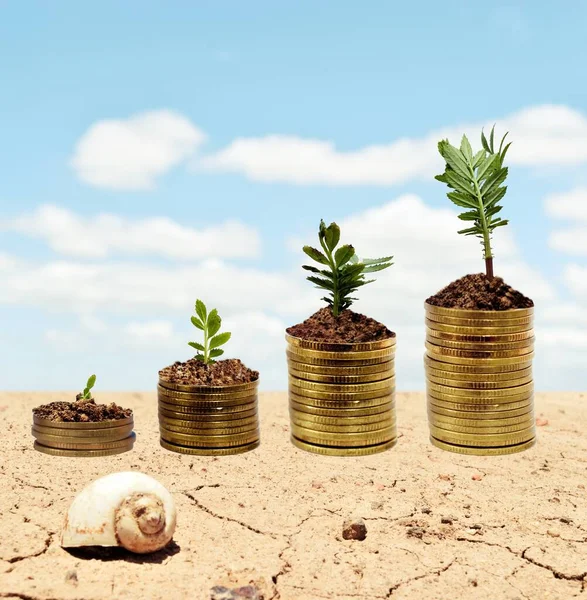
column 127, row 509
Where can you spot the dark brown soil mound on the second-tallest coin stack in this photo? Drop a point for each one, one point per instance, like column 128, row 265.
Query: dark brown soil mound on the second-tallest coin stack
column 348, row 328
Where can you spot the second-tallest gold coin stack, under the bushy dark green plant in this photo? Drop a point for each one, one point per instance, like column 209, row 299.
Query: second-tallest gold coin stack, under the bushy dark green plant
column 342, row 396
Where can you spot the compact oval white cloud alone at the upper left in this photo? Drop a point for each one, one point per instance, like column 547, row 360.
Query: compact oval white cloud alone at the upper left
column 130, row 154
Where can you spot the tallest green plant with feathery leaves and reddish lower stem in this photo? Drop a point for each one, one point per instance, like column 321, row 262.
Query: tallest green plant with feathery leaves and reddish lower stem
column 477, row 184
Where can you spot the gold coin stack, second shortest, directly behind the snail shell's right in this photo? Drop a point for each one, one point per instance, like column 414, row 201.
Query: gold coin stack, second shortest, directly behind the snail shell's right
column 206, row 420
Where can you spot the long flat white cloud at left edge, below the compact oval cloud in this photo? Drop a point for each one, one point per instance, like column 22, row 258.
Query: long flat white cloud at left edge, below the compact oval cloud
column 104, row 234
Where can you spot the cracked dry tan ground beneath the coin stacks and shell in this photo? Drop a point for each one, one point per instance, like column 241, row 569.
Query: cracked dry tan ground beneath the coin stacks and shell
column 439, row 525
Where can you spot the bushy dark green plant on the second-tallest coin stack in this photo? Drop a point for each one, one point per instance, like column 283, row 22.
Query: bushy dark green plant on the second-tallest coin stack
column 344, row 272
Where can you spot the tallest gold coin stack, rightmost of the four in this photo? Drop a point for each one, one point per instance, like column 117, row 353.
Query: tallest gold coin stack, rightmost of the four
column 480, row 388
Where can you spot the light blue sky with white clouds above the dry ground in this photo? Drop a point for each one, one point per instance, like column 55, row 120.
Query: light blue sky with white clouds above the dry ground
column 354, row 75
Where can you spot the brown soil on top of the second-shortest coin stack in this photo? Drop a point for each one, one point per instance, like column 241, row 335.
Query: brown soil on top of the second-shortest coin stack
column 195, row 372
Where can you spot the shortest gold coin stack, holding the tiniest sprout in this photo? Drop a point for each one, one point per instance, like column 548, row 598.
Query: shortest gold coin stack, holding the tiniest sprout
column 102, row 438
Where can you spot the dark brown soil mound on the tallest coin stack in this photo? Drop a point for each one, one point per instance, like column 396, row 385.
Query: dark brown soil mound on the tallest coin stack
column 478, row 292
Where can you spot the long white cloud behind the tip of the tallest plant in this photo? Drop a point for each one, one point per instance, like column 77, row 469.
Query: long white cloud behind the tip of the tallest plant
column 547, row 135
